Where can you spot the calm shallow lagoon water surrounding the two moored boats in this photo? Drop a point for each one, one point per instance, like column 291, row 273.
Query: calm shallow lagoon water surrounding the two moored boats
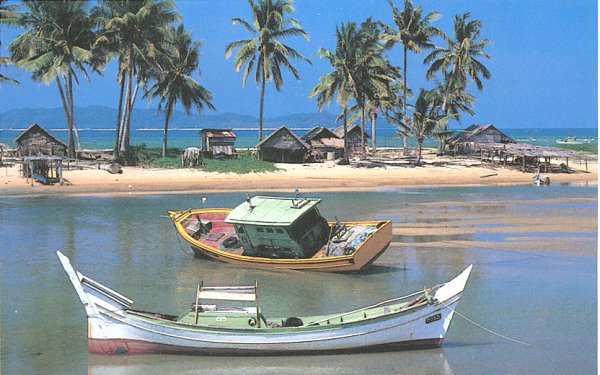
column 534, row 279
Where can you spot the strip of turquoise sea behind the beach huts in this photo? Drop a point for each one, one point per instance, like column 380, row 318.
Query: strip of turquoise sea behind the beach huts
column 181, row 138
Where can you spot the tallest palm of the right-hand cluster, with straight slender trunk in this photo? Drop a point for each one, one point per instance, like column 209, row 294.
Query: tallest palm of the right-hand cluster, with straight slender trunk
column 414, row 31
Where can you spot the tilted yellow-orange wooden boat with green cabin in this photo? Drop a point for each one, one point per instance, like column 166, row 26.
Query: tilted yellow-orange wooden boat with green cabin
column 278, row 232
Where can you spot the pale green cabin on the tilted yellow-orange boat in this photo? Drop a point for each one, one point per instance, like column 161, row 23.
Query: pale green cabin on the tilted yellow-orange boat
column 276, row 227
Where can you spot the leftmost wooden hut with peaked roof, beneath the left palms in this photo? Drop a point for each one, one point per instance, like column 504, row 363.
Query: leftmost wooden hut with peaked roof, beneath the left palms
column 36, row 141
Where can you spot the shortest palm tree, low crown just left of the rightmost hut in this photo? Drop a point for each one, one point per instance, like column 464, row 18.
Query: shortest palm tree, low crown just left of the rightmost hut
column 424, row 122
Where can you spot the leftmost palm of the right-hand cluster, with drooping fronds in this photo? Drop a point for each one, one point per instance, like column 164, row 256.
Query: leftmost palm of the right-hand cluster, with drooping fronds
column 340, row 81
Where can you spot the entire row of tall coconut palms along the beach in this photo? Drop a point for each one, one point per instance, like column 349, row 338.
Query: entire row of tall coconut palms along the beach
column 66, row 40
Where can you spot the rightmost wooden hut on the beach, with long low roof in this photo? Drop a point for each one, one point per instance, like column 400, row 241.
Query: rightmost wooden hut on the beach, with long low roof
column 464, row 142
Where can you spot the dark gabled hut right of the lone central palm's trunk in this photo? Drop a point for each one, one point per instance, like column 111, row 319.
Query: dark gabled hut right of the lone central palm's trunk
column 283, row 146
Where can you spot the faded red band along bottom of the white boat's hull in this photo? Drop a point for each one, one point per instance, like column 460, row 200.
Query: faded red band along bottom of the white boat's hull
column 125, row 346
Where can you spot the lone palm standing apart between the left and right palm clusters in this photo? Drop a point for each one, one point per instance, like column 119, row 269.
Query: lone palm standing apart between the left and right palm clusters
column 265, row 50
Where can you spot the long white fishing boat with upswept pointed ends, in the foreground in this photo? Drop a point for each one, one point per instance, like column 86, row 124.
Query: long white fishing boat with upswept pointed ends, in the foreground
column 415, row 321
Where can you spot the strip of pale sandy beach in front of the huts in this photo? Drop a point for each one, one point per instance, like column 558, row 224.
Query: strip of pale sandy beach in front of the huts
column 85, row 179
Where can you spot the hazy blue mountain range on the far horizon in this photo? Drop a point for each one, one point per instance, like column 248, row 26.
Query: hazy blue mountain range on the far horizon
column 99, row 117
